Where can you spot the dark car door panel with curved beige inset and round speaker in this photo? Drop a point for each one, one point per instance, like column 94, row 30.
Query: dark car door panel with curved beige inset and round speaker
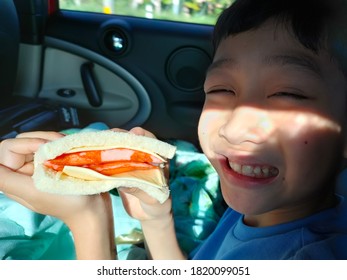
column 155, row 81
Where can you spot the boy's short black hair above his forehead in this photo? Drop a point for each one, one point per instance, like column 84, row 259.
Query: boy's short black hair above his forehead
column 313, row 22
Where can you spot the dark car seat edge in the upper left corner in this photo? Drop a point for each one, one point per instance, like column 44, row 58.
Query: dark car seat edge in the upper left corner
column 9, row 47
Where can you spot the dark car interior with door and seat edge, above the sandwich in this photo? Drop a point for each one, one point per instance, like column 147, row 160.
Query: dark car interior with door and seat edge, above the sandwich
column 122, row 71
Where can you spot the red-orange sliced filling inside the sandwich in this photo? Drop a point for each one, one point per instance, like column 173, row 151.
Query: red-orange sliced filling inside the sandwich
column 107, row 162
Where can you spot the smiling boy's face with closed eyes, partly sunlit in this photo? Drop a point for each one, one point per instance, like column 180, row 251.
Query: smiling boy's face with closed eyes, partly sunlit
column 273, row 124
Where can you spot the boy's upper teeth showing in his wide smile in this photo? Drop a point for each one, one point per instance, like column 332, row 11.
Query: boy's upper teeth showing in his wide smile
column 254, row 171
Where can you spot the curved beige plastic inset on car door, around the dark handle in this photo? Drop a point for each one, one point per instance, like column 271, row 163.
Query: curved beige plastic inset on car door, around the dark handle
column 123, row 96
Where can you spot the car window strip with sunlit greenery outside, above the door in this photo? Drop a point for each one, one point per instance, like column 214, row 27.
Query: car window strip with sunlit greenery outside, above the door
column 194, row 11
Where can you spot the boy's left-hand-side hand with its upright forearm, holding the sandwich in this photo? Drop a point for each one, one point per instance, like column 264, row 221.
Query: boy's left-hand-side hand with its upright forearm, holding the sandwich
column 90, row 218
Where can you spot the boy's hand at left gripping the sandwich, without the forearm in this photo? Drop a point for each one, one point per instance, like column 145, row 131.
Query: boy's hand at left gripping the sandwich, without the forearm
column 16, row 169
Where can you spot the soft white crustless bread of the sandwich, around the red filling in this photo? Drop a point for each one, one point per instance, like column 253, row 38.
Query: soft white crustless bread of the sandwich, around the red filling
column 48, row 180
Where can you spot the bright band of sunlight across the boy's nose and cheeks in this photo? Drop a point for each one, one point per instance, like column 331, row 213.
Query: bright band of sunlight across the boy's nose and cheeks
column 255, row 127
